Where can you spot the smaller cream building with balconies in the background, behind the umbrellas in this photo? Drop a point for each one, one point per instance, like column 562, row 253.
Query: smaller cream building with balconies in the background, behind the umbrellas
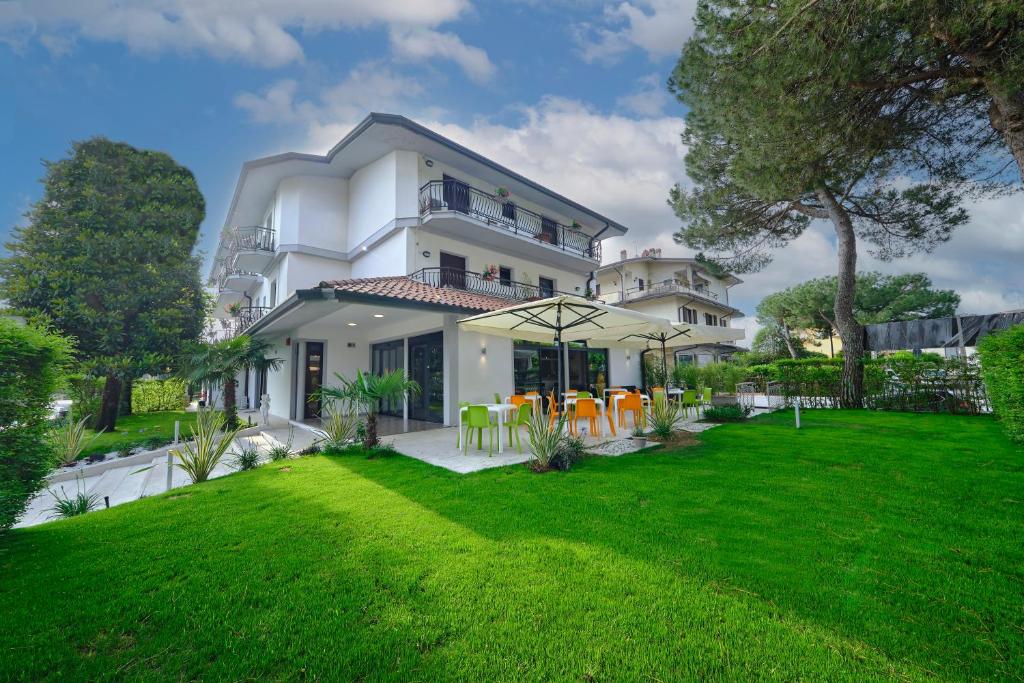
column 679, row 289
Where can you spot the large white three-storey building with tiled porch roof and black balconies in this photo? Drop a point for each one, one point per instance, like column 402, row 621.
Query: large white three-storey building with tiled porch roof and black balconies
column 367, row 258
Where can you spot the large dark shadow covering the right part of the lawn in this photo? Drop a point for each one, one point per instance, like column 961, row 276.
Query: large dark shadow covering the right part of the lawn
column 831, row 525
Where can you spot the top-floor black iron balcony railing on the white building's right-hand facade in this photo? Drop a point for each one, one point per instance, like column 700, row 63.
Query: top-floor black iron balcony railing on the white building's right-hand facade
column 458, row 197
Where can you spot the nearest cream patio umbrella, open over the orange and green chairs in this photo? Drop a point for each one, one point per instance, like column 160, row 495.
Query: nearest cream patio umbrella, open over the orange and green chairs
column 566, row 319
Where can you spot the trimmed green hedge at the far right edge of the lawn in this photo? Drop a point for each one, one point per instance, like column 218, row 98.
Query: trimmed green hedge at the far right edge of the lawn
column 1003, row 367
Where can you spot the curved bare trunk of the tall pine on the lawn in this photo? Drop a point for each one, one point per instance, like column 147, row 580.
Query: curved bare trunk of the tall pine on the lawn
column 850, row 330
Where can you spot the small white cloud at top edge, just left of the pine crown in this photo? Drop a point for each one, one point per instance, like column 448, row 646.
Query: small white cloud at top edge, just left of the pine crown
column 658, row 27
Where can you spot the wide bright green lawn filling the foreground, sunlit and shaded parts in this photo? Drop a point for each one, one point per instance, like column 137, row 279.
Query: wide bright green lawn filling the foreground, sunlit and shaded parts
column 867, row 546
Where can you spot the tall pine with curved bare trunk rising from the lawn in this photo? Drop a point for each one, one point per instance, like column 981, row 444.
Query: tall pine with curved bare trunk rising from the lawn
column 774, row 143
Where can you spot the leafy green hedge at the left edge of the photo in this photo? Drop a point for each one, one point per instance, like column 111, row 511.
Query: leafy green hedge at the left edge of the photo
column 32, row 369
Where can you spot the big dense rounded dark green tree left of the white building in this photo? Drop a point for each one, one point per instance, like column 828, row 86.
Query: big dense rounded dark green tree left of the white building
column 107, row 257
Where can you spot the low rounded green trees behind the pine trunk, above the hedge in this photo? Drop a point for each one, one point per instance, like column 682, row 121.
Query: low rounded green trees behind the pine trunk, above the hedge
column 809, row 307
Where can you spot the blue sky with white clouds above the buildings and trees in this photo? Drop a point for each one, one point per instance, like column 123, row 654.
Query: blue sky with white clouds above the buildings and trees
column 570, row 94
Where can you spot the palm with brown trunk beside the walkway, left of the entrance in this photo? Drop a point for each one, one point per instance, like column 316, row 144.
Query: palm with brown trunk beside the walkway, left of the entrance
column 220, row 364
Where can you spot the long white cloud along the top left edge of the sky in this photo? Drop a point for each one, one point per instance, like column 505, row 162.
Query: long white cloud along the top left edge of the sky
column 255, row 31
